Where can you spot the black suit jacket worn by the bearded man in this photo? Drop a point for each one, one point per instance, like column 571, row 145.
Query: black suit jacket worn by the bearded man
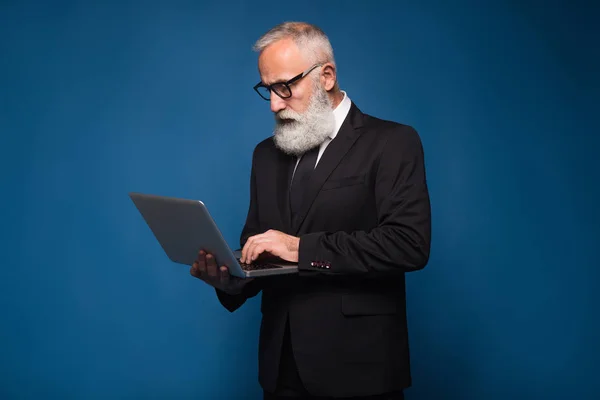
column 365, row 223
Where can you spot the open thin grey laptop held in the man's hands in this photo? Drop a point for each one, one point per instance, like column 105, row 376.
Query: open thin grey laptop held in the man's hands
column 183, row 227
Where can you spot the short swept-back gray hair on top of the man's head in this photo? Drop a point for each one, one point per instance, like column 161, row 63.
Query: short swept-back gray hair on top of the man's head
column 310, row 39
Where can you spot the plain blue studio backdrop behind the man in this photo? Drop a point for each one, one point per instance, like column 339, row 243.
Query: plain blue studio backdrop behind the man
column 99, row 99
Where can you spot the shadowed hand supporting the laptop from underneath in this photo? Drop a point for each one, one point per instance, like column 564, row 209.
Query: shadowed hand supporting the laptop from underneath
column 205, row 268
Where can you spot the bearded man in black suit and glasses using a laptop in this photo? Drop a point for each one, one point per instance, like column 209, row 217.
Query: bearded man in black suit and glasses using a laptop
column 344, row 194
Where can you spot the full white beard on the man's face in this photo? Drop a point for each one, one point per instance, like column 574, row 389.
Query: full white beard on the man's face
column 296, row 133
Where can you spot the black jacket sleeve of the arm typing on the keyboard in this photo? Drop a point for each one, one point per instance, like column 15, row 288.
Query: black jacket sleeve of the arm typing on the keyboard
column 401, row 240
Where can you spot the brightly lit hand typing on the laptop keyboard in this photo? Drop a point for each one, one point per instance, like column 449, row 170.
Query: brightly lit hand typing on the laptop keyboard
column 274, row 242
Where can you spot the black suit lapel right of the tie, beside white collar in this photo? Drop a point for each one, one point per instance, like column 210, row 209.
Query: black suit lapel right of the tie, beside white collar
column 333, row 154
